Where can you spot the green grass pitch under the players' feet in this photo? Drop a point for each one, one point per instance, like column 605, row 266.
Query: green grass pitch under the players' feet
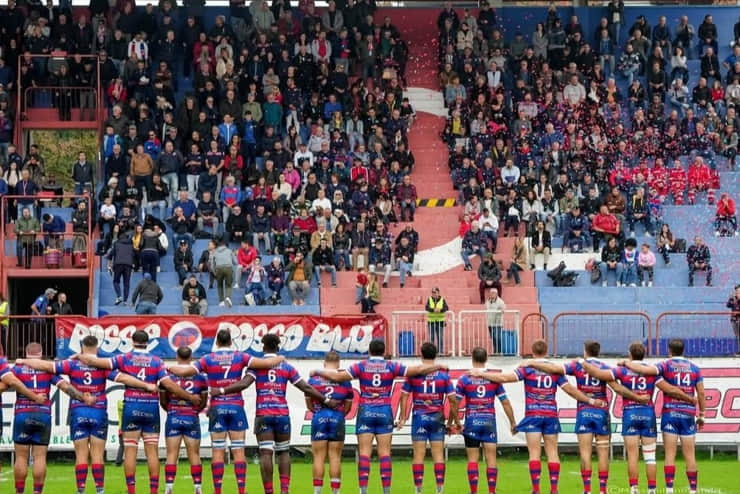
column 717, row 476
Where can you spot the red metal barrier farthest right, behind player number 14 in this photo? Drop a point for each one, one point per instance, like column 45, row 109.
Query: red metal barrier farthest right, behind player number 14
column 704, row 333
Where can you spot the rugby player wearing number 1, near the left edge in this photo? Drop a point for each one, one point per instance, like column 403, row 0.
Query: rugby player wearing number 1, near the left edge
column 32, row 422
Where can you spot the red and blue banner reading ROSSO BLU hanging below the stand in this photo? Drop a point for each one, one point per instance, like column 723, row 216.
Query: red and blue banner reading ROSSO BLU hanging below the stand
column 302, row 336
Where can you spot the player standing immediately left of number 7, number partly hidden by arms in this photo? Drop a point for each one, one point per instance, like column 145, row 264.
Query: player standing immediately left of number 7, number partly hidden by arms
column 183, row 425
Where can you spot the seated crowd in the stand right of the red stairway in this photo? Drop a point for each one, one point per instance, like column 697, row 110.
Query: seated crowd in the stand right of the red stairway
column 576, row 136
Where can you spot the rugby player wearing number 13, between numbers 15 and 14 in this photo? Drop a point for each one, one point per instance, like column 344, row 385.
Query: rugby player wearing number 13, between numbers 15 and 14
column 638, row 419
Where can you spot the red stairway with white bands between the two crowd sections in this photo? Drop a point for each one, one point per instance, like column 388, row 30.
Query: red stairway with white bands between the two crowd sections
column 437, row 226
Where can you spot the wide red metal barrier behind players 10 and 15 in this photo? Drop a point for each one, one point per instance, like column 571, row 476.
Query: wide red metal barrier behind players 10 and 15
column 614, row 330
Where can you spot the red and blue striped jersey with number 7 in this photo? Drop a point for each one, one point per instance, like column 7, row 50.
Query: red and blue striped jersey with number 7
column 223, row 368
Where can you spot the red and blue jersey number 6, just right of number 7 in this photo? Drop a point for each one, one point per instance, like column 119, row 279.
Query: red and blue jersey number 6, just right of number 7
column 271, row 386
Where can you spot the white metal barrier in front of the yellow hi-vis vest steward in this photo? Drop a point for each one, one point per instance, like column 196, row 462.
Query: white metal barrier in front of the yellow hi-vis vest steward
column 411, row 327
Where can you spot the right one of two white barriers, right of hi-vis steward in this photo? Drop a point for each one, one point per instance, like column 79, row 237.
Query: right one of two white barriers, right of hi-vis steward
column 496, row 331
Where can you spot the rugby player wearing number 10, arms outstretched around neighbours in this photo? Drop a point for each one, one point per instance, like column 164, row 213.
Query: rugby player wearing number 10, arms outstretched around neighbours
column 540, row 422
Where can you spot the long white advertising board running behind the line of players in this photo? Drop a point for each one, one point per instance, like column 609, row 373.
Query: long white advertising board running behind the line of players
column 721, row 380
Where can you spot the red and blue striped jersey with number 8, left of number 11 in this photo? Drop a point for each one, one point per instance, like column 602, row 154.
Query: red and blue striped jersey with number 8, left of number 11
column 376, row 376
